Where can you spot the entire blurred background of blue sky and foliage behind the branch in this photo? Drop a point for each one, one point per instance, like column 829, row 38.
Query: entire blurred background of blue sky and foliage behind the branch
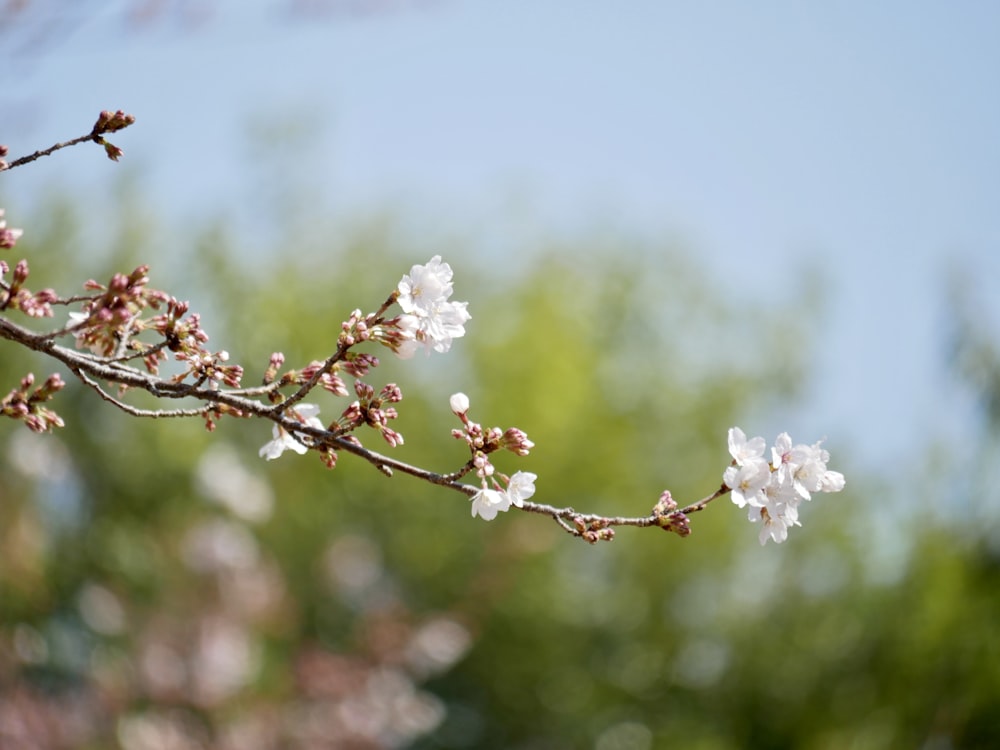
column 668, row 219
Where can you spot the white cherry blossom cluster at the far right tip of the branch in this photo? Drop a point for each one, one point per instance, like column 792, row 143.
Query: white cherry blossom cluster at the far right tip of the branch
column 772, row 490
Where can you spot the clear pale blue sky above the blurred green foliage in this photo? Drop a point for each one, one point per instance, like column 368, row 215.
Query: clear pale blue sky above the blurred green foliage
column 863, row 137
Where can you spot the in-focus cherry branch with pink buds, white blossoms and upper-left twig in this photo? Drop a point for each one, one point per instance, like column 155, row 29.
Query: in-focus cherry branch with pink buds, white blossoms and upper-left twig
column 113, row 328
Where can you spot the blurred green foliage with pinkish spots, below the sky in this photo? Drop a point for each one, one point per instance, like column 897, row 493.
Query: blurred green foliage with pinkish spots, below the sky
column 163, row 587
